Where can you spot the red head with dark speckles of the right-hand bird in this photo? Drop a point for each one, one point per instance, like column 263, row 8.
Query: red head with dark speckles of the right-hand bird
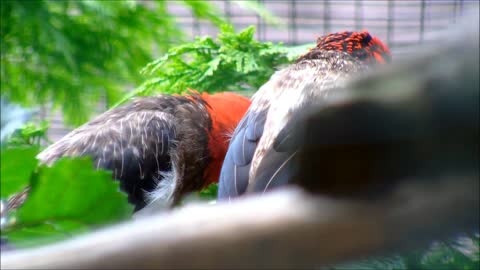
column 360, row 45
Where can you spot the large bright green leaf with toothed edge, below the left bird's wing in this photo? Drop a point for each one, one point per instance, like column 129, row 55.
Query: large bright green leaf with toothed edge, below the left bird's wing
column 73, row 190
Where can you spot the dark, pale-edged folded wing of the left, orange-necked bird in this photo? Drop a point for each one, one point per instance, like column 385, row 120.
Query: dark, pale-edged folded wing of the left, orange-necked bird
column 135, row 144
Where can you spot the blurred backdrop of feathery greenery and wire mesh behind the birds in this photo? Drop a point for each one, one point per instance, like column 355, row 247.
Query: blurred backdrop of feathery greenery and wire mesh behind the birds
column 64, row 50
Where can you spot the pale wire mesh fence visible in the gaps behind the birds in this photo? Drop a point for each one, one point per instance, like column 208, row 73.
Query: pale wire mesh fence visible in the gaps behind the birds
column 400, row 24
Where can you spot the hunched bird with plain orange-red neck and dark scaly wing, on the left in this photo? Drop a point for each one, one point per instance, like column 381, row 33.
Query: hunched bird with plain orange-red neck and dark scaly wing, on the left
column 159, row 147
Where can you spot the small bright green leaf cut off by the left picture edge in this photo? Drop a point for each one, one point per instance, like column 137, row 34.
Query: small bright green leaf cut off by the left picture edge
column 17, row 167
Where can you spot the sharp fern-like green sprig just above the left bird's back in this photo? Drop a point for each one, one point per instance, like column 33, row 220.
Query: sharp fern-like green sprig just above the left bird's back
column 232, row 62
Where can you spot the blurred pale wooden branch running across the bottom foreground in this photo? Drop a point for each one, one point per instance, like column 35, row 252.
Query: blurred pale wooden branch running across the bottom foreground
column 284, row 229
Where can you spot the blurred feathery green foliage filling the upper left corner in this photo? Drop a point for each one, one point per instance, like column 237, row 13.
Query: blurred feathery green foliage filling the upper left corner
column 73, row 53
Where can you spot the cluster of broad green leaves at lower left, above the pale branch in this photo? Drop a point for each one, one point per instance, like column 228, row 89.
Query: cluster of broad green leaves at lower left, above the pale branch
column 65, row 199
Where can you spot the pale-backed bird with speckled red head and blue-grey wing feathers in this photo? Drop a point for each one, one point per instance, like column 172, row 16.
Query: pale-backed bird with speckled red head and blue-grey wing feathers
column 255, row 160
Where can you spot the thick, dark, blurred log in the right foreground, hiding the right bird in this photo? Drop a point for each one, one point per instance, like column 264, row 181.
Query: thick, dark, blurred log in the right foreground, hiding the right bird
column 414, row 123
